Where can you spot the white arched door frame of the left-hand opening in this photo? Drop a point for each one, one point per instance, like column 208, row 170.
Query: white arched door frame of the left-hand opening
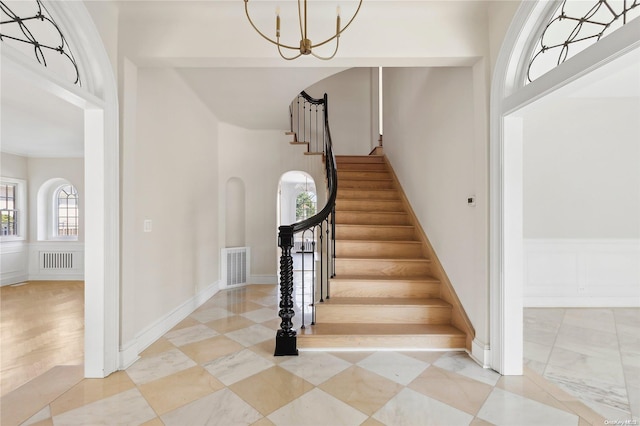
column 98, row 99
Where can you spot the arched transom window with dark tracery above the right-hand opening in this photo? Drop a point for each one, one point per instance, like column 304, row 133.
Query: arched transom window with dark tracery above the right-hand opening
column 574, row 26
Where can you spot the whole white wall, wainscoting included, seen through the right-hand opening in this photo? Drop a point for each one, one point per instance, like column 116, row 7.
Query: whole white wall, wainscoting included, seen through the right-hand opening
column 582, row 202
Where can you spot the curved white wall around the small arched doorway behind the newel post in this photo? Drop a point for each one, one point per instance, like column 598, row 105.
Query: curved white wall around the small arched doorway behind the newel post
column 259, row 159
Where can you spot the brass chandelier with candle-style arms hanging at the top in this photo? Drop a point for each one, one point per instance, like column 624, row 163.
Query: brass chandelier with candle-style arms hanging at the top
column 306, row 46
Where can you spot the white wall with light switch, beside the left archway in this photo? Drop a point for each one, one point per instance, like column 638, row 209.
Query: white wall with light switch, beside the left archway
column 170, row 176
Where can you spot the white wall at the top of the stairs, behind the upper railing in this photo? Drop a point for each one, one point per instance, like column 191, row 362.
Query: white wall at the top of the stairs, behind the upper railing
column 349, row 99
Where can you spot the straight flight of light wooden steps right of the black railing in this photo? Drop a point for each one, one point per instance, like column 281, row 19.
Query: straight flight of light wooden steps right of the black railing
column 388, row 289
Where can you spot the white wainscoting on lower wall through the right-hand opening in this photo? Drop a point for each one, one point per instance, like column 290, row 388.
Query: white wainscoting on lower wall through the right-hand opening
column 588, row 273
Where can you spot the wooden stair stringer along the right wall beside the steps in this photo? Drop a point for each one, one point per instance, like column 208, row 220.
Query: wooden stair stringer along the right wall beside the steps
column 459, row 317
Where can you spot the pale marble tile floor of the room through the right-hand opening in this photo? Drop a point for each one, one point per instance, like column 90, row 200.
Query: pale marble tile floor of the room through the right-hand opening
column 593, row 353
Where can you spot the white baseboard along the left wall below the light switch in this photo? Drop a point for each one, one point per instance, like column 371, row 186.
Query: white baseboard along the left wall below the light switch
column 130, row 352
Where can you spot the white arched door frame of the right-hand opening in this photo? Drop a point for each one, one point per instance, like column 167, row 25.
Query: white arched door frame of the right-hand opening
column 505, row 163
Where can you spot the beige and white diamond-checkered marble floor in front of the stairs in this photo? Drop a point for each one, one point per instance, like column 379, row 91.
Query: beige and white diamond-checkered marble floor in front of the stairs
column 217, row 368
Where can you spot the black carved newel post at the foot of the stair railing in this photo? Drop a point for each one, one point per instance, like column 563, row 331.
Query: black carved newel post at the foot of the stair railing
column 286, row 336
